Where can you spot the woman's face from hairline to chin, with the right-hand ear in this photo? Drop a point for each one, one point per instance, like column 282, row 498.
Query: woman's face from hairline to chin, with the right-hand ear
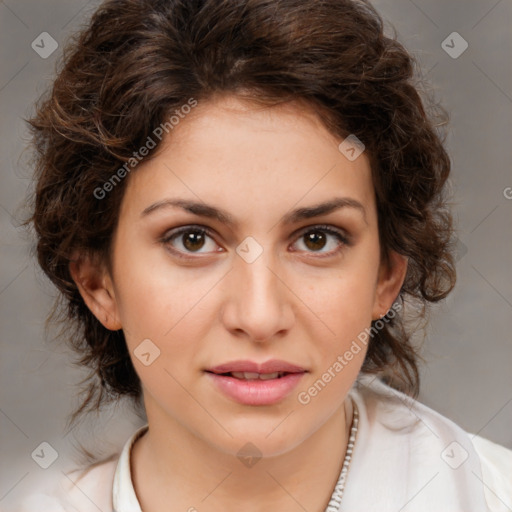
column 274, row 284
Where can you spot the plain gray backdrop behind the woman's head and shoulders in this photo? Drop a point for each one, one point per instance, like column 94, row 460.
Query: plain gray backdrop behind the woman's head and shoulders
column 468, row 346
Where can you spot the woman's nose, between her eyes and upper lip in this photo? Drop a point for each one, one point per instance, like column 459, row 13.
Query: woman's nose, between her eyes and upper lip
column 259, row 303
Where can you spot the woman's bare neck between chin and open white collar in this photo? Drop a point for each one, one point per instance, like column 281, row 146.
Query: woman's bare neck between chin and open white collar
column 172, row 465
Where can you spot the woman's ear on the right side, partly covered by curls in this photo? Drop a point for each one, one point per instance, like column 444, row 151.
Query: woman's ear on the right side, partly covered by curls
column 391, row 277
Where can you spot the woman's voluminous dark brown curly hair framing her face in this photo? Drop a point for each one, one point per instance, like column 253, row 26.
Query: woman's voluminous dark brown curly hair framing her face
column 137, row 61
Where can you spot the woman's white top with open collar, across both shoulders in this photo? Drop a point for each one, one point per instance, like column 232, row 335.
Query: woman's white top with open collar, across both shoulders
column 406, row 458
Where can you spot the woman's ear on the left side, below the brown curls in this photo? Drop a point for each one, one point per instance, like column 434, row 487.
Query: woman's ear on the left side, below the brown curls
column 95, row 286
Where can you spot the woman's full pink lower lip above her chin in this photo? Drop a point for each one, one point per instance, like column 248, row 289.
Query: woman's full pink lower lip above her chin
column 257, row 391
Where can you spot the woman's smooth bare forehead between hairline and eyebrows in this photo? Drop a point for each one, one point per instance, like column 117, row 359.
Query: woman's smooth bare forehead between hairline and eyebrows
column 249, row 158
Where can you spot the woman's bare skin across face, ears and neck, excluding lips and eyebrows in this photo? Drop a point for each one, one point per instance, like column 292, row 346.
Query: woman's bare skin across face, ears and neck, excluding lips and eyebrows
column 214, row 307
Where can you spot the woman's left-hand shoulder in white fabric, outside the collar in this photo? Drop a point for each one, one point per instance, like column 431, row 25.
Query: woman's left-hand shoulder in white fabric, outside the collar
column 83, row 490
